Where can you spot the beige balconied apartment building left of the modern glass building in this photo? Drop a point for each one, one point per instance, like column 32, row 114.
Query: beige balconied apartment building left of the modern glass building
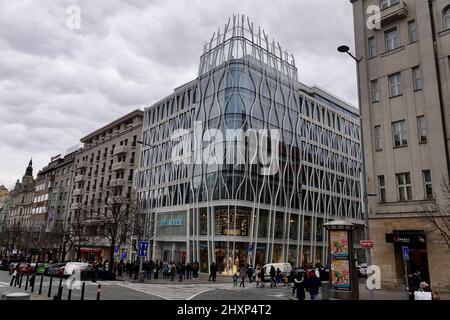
column 105, row 166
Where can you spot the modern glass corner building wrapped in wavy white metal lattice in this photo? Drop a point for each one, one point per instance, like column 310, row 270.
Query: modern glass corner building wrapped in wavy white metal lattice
column 245, row 163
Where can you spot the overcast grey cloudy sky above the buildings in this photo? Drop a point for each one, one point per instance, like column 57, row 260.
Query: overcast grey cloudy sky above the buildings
column 58, row 84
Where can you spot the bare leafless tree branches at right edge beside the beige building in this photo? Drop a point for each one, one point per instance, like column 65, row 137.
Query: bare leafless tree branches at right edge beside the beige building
column 437, row 215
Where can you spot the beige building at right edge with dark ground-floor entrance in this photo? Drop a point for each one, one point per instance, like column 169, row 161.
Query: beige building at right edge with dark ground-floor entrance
column 405, row 108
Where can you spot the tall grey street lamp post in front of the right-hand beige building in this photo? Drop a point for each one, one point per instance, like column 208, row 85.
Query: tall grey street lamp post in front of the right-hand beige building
column 358, row 59
